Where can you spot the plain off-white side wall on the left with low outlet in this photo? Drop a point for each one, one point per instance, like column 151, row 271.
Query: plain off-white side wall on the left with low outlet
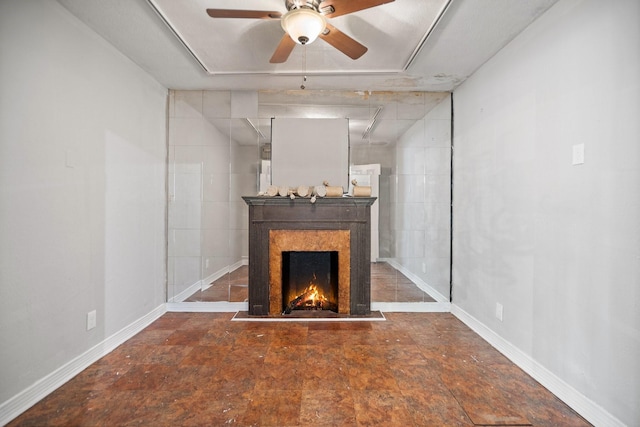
column 82, row 191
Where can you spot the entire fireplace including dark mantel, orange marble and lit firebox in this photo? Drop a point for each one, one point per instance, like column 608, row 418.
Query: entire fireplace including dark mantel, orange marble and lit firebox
column 335, row 232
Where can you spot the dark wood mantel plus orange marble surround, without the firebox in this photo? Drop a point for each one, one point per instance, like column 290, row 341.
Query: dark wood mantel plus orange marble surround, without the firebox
column 278, row 224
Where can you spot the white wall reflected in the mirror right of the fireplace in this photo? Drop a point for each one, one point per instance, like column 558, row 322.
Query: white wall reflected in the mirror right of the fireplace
column 421, row 198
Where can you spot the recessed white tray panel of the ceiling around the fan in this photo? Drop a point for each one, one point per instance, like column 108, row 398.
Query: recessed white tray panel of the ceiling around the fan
column 254, row 40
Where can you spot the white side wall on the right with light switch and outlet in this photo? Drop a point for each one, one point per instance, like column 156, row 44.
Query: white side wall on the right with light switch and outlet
column 558, row 245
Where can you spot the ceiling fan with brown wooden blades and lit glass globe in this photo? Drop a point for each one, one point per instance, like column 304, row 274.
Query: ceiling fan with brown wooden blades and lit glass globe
column 306, row 20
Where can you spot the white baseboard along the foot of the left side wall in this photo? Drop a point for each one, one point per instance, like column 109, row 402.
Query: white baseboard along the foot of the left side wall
column 22, row 401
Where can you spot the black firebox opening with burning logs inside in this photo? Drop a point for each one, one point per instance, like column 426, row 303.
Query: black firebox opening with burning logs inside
column 309, row 281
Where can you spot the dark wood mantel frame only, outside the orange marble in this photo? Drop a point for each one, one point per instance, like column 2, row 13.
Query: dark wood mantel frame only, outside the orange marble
column 329, row 213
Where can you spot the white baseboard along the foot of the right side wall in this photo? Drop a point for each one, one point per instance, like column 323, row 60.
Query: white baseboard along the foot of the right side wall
column 584, row 406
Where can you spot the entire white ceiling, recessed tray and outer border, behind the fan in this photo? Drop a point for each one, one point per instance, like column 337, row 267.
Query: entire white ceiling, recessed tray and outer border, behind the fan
column 236, row 51
